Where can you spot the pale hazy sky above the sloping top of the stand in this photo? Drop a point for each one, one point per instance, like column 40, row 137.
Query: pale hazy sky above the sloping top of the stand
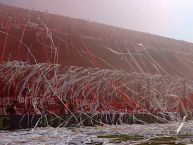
column 171, row 18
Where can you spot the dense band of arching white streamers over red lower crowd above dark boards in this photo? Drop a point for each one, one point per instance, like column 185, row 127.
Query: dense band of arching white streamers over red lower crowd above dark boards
column 78, row 90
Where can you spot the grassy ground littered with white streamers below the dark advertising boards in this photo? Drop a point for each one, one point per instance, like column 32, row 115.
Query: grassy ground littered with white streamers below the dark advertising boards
column 121, row 134
